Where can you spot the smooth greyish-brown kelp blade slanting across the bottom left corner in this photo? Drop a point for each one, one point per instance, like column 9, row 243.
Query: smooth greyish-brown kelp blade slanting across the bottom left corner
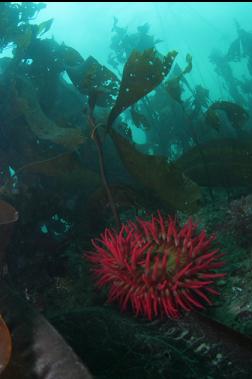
column 38, row 349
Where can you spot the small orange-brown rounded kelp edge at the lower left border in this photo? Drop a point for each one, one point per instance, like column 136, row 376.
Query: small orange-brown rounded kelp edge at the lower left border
column 5, row 345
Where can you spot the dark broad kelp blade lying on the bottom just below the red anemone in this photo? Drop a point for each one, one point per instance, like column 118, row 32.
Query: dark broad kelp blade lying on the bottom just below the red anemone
column 192, row 347
